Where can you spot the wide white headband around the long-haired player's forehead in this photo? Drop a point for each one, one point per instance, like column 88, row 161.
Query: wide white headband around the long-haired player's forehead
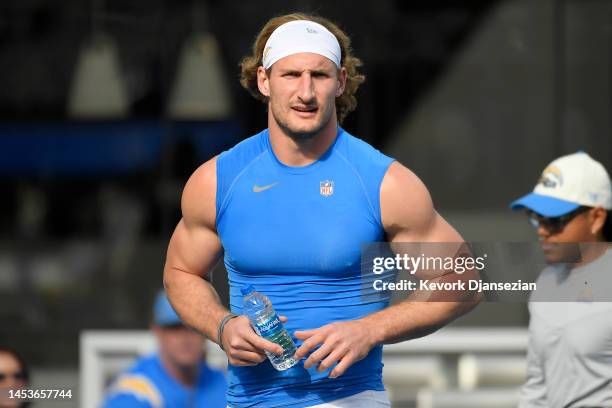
column 301, row 36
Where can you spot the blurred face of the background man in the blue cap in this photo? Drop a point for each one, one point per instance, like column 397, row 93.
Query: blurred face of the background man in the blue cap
column 180, row 345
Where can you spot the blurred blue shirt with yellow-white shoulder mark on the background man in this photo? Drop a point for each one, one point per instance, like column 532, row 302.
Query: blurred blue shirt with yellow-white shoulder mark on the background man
column 147, row 385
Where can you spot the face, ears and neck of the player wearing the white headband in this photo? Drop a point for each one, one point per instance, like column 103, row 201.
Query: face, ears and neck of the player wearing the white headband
column 302, row 90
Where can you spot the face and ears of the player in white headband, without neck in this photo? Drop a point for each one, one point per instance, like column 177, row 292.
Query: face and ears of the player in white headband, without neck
column 302, row 90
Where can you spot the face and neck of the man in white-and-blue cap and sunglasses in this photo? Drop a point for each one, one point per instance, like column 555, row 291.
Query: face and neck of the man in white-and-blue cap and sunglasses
column 585, row 228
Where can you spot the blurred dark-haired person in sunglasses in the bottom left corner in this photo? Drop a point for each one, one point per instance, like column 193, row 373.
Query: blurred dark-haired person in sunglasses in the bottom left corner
column 14, row 375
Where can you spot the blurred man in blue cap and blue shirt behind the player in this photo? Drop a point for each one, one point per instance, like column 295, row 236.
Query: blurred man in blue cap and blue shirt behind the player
column 175, row 376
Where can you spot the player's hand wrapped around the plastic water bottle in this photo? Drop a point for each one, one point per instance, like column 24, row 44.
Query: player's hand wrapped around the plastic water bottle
column 243, row 346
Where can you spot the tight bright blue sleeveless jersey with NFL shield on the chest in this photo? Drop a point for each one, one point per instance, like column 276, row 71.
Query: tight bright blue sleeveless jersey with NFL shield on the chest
column 295, row 234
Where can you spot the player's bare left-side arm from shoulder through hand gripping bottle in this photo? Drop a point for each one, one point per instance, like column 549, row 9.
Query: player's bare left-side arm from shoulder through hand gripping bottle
column 193, row 251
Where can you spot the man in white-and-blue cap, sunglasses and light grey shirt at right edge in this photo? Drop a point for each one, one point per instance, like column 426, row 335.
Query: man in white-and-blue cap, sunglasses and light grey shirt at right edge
column 570, row 341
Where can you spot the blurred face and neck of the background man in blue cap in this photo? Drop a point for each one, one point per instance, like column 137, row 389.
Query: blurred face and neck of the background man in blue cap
column 181, row 350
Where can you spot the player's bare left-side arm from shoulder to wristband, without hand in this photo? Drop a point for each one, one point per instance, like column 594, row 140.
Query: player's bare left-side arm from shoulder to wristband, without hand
column 193, row 251
